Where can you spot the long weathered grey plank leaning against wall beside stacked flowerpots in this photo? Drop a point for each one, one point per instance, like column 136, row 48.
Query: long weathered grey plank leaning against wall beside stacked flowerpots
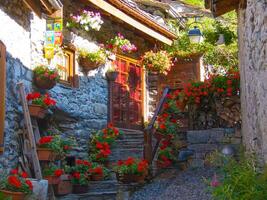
column 27, row 118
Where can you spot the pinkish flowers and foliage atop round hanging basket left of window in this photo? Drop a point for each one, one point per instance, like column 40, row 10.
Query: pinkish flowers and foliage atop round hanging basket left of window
column 44, row 72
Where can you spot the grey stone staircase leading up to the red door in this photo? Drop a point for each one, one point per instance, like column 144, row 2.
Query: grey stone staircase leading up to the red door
column 130, row 144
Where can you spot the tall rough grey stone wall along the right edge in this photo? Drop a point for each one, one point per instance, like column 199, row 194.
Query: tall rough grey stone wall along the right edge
column 253, row 67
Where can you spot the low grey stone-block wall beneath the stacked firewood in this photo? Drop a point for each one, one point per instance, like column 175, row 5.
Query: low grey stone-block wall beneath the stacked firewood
column 203, row 142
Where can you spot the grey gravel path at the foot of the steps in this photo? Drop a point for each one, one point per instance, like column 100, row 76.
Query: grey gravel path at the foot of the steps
column 177, row 185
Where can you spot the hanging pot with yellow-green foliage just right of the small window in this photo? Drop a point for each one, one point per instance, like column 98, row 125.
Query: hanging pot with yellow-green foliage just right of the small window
column 91, row 60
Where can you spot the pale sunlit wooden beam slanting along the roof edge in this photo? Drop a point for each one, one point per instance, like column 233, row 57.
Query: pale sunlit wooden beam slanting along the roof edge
column 129, row 20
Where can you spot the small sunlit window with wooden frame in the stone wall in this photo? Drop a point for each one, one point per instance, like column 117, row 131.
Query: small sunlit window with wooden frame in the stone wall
column 64, row 61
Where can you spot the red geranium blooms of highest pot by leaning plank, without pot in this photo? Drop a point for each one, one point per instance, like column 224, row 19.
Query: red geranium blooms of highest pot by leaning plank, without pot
column 42, row 100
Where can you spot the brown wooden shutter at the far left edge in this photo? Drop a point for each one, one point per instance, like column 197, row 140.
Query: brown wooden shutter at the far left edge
column 2, row 93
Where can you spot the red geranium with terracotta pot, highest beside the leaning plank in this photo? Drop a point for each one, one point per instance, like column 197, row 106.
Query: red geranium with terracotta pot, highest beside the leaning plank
column 38, row 104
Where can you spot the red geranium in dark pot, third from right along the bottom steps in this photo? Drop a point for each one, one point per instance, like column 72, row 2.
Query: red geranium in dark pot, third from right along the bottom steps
column 80, row 176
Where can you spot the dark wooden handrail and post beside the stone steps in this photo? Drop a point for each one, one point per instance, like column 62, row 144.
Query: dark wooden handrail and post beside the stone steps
column 149, row 150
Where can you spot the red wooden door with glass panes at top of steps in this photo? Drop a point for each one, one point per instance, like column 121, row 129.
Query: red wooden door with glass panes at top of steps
column 127, row 95
